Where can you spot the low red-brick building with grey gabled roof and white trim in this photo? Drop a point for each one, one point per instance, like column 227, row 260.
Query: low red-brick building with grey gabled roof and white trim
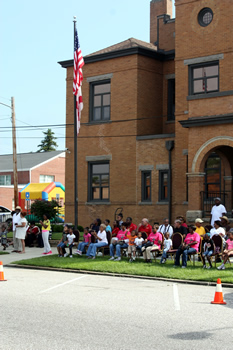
column 38, row 167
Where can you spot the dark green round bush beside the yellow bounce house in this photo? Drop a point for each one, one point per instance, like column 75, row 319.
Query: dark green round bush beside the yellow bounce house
column 39, row 208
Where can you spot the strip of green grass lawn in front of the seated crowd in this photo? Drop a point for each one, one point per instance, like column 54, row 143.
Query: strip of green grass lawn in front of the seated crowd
column 101, row 264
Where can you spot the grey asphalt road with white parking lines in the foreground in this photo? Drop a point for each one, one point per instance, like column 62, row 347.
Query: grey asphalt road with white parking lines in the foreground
column 55, row 310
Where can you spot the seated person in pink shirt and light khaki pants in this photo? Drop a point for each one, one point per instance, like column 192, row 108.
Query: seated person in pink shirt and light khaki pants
column 152, row 243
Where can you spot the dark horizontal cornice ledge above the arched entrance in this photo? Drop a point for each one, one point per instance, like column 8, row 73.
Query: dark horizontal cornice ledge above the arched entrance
column 207, row 120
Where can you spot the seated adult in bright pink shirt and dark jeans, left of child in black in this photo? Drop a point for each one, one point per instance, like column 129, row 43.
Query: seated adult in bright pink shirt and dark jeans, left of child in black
column 190, row 246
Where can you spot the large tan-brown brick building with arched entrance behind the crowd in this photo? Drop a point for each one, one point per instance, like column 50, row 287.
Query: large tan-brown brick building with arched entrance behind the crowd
column 156, row 134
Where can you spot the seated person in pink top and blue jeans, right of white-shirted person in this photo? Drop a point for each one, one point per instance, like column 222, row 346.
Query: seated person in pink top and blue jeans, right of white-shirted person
column 120, row 242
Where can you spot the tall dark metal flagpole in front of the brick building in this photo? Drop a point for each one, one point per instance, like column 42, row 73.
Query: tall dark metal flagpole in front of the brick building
column 75, row 154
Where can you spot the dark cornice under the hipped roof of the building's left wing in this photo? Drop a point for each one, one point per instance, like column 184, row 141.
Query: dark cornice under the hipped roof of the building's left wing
column 158, row 55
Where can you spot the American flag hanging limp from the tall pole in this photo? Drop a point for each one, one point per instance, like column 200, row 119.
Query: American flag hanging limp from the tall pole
column 78, row 78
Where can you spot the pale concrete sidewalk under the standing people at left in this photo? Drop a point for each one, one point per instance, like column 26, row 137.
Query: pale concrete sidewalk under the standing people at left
column 29, row 253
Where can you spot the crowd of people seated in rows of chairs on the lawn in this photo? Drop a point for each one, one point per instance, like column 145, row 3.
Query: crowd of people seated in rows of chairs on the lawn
column 145, row 240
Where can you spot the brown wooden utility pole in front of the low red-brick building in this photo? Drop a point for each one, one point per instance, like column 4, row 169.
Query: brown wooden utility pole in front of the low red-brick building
column 14, row 152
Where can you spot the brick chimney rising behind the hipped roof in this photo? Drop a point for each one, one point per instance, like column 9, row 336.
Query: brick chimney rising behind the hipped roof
column 158, row 8
